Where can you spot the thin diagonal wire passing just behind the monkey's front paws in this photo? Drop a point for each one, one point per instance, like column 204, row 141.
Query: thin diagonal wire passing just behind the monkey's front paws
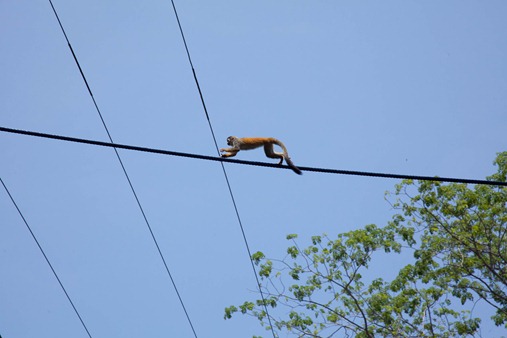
column 223, row 168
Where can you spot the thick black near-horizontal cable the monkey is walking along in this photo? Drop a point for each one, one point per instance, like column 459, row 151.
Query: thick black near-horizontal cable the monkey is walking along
column 254, row 163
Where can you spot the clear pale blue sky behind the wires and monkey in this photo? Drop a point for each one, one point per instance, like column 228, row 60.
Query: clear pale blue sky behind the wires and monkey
column 412, row 87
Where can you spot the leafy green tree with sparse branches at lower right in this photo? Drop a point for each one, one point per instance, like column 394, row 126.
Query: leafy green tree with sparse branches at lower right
column 455, row 242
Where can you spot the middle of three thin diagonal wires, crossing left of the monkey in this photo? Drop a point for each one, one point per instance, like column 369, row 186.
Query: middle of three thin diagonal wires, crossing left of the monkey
column 125, row 171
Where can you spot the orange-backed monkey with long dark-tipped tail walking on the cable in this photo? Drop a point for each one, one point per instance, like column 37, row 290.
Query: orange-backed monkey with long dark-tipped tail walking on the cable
column 247, row 143
